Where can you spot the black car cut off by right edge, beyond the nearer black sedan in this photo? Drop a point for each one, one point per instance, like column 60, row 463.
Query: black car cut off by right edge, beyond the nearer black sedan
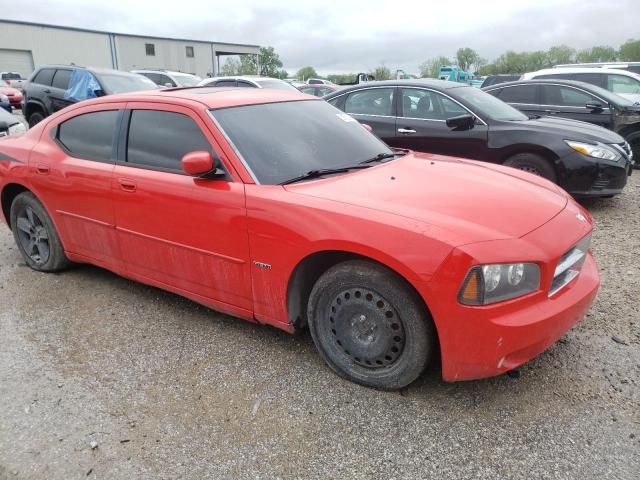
column 576, row 100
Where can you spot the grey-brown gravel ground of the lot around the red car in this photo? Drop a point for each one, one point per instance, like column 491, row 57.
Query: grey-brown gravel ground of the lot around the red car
column 101, row 377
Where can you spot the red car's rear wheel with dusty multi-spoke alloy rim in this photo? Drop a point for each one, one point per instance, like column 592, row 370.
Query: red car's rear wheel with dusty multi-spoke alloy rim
column 36, row 236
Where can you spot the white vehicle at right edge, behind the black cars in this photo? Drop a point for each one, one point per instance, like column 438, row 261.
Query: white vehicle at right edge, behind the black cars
column 621, row 82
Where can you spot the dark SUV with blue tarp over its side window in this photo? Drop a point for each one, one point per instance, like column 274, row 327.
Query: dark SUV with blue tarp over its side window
column 45, row 92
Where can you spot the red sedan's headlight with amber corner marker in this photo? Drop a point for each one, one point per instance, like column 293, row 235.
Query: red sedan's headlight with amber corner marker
column 487, row 284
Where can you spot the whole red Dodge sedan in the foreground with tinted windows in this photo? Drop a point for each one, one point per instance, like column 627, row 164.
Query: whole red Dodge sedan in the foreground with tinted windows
column 228, row 197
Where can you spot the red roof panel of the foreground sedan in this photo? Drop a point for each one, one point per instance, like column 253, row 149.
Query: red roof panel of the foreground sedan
column 211, row 97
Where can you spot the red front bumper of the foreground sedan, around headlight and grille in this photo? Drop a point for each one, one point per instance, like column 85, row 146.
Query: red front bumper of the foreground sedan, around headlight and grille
column 484, row 341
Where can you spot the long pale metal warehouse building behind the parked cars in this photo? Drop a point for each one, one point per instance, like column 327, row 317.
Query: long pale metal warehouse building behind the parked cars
column 25, row 46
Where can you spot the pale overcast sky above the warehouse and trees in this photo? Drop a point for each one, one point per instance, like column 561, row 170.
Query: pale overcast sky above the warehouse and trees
column 340, row 36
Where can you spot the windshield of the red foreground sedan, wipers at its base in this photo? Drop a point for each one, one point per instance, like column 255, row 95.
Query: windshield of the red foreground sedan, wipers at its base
column 280, row 141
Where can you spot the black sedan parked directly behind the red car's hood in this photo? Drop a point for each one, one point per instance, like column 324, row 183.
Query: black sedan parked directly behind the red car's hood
column 455, row 119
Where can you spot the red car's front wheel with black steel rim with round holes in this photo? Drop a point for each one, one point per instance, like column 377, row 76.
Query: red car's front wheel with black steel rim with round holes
column 370, row 326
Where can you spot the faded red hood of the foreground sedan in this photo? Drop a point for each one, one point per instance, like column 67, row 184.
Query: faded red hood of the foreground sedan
column 475, row 201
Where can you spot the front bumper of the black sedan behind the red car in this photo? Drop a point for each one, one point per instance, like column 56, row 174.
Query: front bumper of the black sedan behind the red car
column 583, row 176
